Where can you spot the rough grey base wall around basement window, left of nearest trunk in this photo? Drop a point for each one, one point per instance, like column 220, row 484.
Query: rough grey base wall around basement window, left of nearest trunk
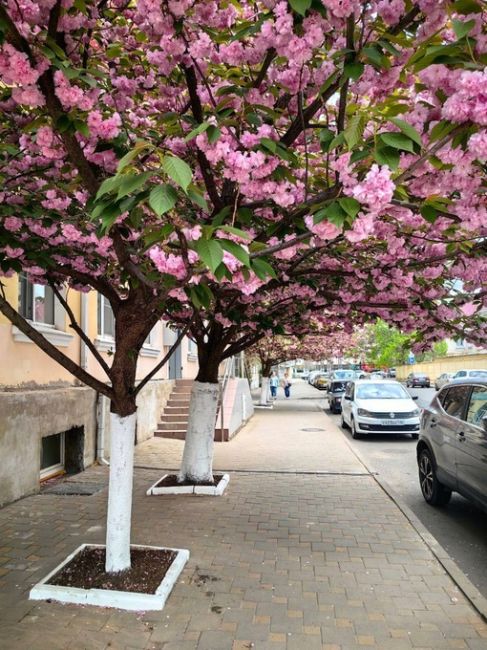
column 25, row 418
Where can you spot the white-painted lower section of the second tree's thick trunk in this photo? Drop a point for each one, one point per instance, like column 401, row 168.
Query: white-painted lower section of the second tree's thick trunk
column 197, row 463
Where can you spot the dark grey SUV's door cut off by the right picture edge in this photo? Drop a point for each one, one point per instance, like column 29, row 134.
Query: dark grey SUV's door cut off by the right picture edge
column 471, row 459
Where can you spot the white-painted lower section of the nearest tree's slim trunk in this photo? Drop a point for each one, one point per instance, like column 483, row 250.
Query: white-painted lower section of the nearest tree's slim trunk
column 122, row 441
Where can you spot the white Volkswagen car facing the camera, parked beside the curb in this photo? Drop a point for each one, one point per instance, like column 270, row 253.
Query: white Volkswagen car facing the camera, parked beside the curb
column 379, row 406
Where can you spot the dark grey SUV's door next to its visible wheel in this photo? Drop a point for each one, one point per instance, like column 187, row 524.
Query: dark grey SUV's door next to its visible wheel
column 443, row 430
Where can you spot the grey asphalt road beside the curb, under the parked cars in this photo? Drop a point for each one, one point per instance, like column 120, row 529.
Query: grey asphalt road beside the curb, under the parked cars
column 460, row 527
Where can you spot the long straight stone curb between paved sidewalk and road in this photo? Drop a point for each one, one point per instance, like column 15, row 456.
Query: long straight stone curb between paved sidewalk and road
column 469, row 590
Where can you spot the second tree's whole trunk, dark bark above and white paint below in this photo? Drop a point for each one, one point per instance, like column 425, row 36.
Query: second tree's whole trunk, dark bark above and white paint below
column 197, row 462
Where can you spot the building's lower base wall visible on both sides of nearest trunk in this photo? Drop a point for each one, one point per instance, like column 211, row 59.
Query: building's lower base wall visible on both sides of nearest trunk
column 26, row 416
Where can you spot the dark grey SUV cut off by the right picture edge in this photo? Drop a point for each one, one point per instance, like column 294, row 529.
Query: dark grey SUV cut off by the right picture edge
column 452, row 446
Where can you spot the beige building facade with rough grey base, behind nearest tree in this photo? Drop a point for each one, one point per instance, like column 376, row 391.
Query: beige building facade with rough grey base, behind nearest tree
column 49, row 423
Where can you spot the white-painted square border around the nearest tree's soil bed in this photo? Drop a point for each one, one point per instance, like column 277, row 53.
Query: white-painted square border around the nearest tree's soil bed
column 129, row 600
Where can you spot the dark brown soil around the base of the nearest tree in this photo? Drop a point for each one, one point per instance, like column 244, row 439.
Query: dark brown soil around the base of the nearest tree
column 87, row 571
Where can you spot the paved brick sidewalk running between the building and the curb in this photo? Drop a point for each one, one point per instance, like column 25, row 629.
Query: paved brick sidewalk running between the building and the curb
column 309, row 555
